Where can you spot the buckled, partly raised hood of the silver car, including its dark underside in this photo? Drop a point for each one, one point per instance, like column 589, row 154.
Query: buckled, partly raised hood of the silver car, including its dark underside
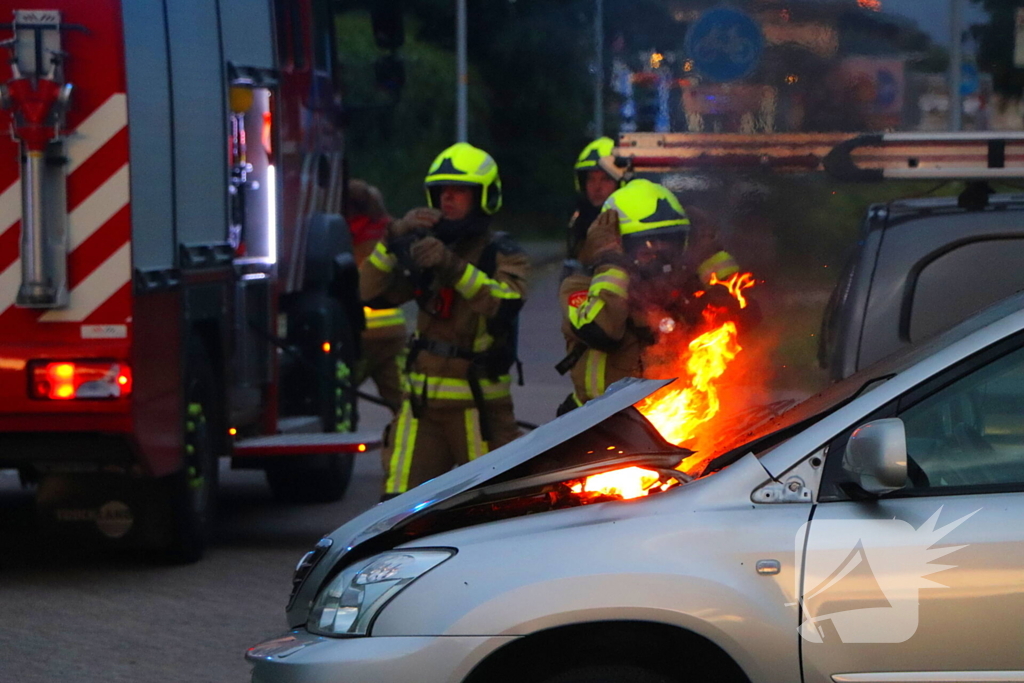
column 535, row 452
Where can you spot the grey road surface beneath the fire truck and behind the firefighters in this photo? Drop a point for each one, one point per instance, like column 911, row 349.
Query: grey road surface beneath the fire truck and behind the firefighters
column 72, row 615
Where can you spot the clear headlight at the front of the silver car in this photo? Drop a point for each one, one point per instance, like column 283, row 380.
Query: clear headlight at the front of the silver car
column 349, row 605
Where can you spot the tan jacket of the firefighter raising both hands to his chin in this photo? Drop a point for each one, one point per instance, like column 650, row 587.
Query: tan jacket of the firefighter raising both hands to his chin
column 459, row 331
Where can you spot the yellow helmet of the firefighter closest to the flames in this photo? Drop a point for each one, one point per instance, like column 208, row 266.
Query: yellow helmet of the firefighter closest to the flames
column 650, row 210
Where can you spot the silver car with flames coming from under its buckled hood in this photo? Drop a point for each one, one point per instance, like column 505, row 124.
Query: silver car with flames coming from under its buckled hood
column 808, row 550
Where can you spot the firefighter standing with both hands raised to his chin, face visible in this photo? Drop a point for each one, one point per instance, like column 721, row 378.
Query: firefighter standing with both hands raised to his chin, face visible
column 470, row 285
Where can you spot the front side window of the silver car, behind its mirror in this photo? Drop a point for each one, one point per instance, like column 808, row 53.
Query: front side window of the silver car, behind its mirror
column 970, row 434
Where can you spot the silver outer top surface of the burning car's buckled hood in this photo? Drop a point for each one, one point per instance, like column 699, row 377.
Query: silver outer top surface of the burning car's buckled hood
column 386, row 517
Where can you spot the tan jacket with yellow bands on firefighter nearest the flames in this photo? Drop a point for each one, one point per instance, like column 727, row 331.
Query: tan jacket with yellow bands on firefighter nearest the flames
column 606, row 322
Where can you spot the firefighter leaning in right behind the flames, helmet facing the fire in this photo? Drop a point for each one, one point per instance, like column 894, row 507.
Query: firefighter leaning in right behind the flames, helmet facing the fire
column 641, row 253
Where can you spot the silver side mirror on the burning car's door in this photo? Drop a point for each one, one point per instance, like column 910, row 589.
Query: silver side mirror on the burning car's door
column 876, row 456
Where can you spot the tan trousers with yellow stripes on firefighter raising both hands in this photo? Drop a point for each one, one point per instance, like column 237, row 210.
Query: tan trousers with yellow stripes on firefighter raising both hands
column 445, row 436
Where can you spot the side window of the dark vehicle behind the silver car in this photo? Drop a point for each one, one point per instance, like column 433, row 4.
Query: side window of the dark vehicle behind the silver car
column 956, row 285
